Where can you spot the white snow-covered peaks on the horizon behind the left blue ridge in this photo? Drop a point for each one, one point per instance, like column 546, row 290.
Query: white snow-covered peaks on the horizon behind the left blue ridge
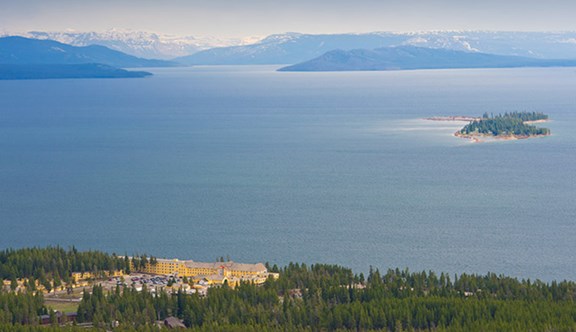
column 138, row 43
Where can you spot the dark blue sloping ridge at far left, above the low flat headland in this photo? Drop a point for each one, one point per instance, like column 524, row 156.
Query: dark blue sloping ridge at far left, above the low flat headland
column 20, row 51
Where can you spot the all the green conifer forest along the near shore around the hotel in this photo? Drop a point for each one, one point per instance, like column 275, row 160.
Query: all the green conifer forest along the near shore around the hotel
column 317, row 297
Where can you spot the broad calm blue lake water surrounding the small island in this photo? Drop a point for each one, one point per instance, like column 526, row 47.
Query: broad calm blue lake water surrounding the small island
column 204, row 162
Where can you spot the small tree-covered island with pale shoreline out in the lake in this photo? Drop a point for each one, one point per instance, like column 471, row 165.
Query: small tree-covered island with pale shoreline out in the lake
column 514, row 125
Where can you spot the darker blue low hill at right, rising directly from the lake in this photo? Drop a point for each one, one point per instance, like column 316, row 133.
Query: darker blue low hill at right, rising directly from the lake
column 411, row 57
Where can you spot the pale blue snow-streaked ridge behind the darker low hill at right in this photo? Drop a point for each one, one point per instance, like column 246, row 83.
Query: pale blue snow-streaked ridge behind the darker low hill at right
column 292, row 48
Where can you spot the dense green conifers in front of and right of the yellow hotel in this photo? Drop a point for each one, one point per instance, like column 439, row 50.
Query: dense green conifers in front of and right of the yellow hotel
column 332, row 298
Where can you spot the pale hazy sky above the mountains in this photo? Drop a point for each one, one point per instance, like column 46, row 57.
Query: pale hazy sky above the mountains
column 240, row 18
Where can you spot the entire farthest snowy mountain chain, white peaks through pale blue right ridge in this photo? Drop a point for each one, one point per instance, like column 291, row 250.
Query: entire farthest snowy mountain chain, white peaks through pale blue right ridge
column 290, row 48
